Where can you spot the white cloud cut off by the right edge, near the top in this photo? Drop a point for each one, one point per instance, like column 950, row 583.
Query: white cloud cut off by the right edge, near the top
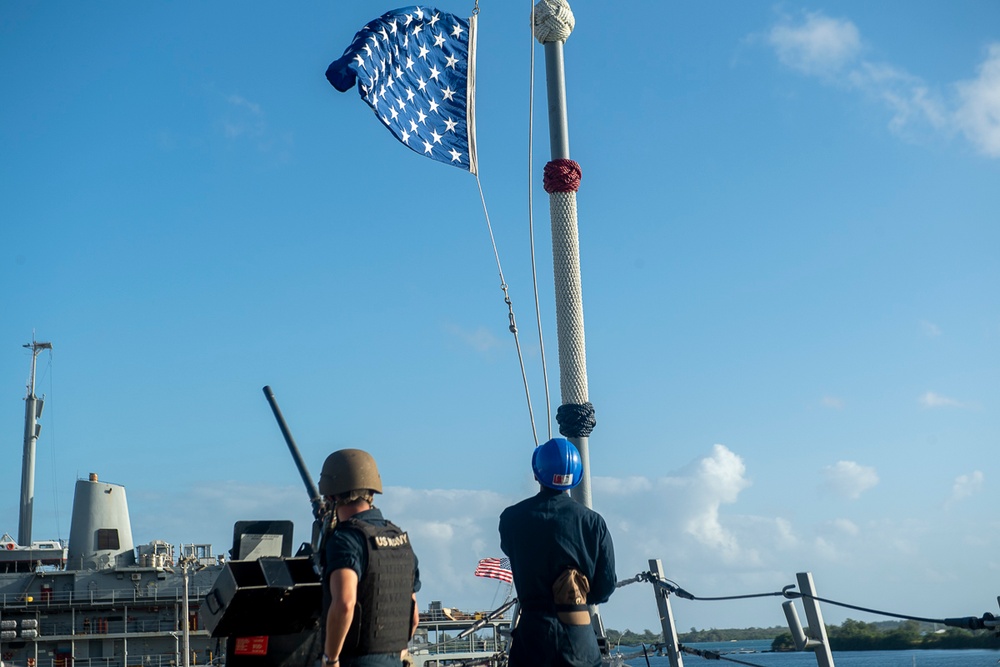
column 978, row 113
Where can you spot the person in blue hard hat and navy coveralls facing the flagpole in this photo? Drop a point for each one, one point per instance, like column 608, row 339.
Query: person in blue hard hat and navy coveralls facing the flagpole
column 563, row 560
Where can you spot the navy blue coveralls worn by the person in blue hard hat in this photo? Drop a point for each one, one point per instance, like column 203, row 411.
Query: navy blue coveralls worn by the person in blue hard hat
column 543, row 535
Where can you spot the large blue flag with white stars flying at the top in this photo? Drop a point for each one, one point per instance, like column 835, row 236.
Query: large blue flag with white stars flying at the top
column 416, row 68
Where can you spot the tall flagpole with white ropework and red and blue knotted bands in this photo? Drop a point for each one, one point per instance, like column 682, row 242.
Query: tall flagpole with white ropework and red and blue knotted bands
column 553, row 24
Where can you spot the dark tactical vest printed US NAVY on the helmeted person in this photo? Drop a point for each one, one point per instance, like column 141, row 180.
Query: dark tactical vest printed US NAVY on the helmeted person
column 383, row 615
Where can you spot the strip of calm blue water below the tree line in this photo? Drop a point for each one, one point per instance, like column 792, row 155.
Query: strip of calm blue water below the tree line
column 929, row 658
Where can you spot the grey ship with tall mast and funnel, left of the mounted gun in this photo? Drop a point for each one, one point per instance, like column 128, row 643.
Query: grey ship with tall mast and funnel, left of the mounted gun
column 100, row 600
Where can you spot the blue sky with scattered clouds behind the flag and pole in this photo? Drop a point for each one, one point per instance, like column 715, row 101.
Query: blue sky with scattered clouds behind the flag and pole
column 788, row 222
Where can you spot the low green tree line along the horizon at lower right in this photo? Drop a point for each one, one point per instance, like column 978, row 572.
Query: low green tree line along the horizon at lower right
column 851, row 635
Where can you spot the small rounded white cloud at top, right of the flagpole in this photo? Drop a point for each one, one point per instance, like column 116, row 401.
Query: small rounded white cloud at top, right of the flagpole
column 817, row 45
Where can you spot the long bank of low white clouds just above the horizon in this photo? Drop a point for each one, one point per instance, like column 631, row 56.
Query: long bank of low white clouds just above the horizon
column 693, row 519
